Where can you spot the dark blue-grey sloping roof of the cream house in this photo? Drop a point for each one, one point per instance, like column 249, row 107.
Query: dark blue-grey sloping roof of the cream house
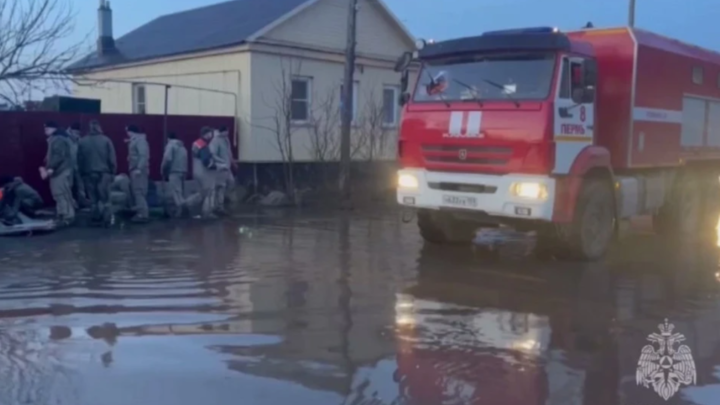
column 210, row 27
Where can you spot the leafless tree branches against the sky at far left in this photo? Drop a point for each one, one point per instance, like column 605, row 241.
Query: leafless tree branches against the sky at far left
column 33, row 47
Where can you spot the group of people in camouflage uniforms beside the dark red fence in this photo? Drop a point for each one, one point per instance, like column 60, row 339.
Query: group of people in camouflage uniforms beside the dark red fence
column 82, row 171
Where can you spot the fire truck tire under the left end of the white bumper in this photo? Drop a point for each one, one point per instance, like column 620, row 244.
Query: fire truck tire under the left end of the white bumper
column 440, row 228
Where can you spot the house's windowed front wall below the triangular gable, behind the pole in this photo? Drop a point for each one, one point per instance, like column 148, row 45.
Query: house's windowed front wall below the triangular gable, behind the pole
column 325, row 85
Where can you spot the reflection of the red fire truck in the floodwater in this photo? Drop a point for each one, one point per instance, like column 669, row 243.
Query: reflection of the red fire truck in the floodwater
column 569, row 334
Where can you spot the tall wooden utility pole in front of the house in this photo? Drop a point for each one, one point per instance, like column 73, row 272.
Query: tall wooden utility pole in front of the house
column 347, row 107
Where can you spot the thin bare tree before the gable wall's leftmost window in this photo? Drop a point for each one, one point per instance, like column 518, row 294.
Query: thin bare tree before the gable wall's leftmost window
column 280, row 121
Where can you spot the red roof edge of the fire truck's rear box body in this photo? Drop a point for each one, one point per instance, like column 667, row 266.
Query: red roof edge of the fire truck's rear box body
column 657, row 41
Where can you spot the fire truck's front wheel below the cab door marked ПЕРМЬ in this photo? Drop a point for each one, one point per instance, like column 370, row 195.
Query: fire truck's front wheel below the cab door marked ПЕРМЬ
column 591, row 233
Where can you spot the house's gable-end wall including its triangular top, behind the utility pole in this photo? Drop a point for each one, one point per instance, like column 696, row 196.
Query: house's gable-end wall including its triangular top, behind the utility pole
column 323, row 26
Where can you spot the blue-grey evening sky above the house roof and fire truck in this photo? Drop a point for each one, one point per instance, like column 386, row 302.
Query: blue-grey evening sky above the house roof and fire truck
column 694, row 21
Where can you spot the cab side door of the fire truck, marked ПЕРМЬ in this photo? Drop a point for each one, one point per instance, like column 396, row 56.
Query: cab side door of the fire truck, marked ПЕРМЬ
column 574, row 116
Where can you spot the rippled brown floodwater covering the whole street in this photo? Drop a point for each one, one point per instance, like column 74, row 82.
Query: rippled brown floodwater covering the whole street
column 330, row 308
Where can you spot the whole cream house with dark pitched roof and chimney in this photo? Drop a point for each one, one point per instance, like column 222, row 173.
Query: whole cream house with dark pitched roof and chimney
column 260, row 61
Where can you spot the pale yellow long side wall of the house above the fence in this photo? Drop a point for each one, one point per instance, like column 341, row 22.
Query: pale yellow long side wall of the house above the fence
column 224, row 72
